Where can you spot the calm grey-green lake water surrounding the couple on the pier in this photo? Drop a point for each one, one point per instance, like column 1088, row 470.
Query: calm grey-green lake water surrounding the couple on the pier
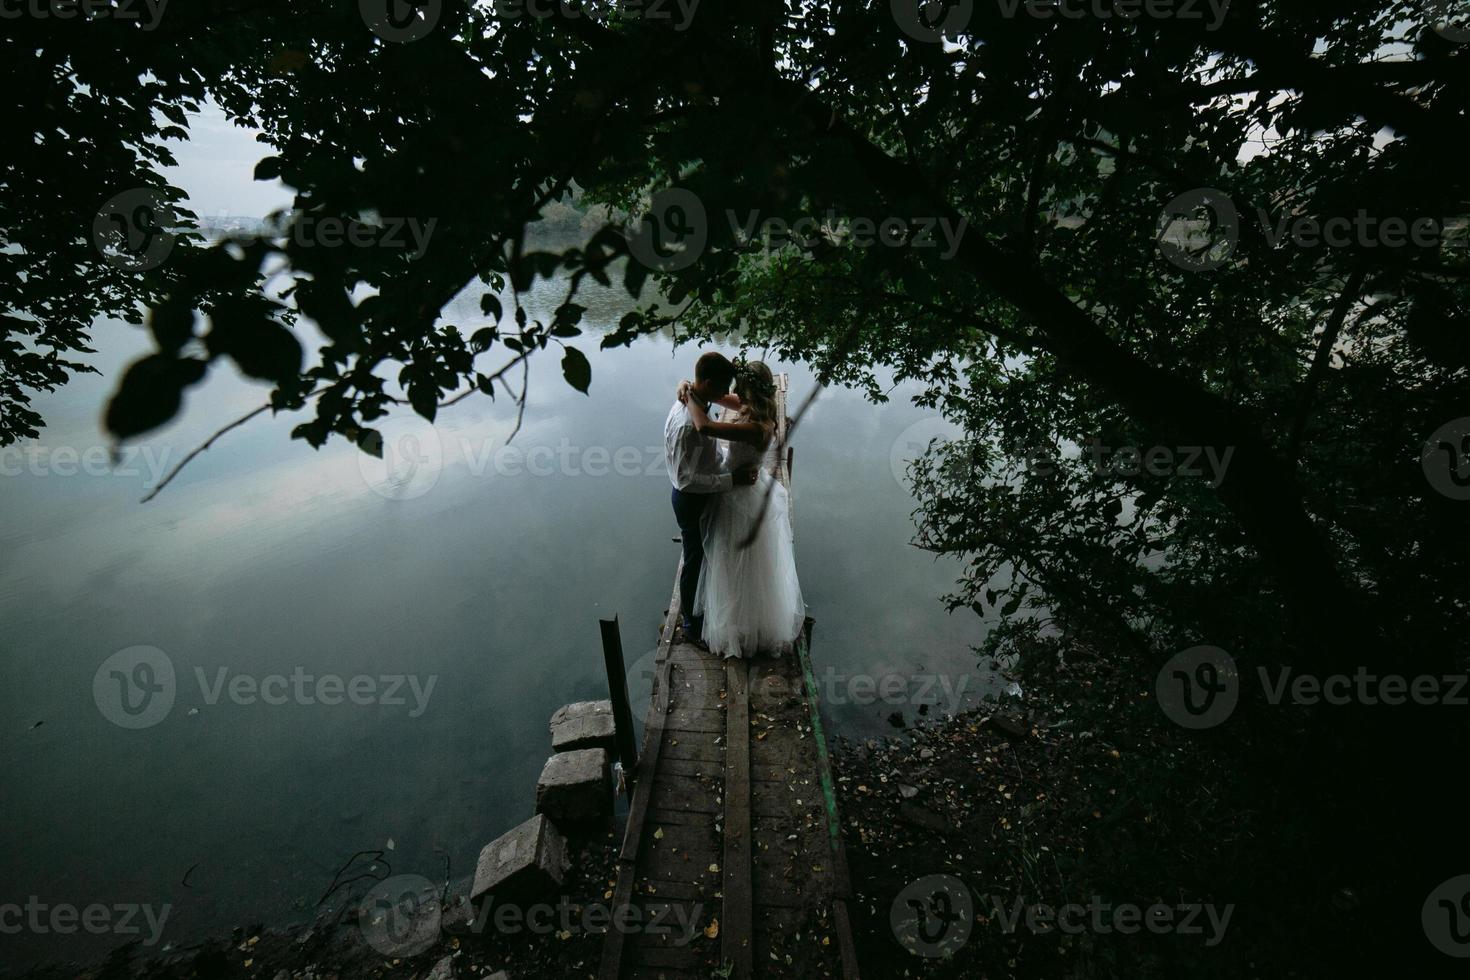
column 476, row 568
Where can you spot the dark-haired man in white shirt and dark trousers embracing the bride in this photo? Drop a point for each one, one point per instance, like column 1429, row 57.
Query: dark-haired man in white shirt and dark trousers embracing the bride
column 696, row 472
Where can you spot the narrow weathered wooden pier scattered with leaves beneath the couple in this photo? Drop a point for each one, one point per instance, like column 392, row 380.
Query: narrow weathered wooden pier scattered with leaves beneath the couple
column 734, row 819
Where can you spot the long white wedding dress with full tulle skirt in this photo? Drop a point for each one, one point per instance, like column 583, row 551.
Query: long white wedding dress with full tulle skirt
column 750, row 597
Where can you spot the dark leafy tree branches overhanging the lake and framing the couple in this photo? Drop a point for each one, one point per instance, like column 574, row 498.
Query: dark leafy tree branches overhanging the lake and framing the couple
column 1017, row 179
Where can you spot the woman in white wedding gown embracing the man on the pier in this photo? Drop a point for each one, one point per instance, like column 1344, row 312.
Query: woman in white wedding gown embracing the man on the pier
column 749, row 591
